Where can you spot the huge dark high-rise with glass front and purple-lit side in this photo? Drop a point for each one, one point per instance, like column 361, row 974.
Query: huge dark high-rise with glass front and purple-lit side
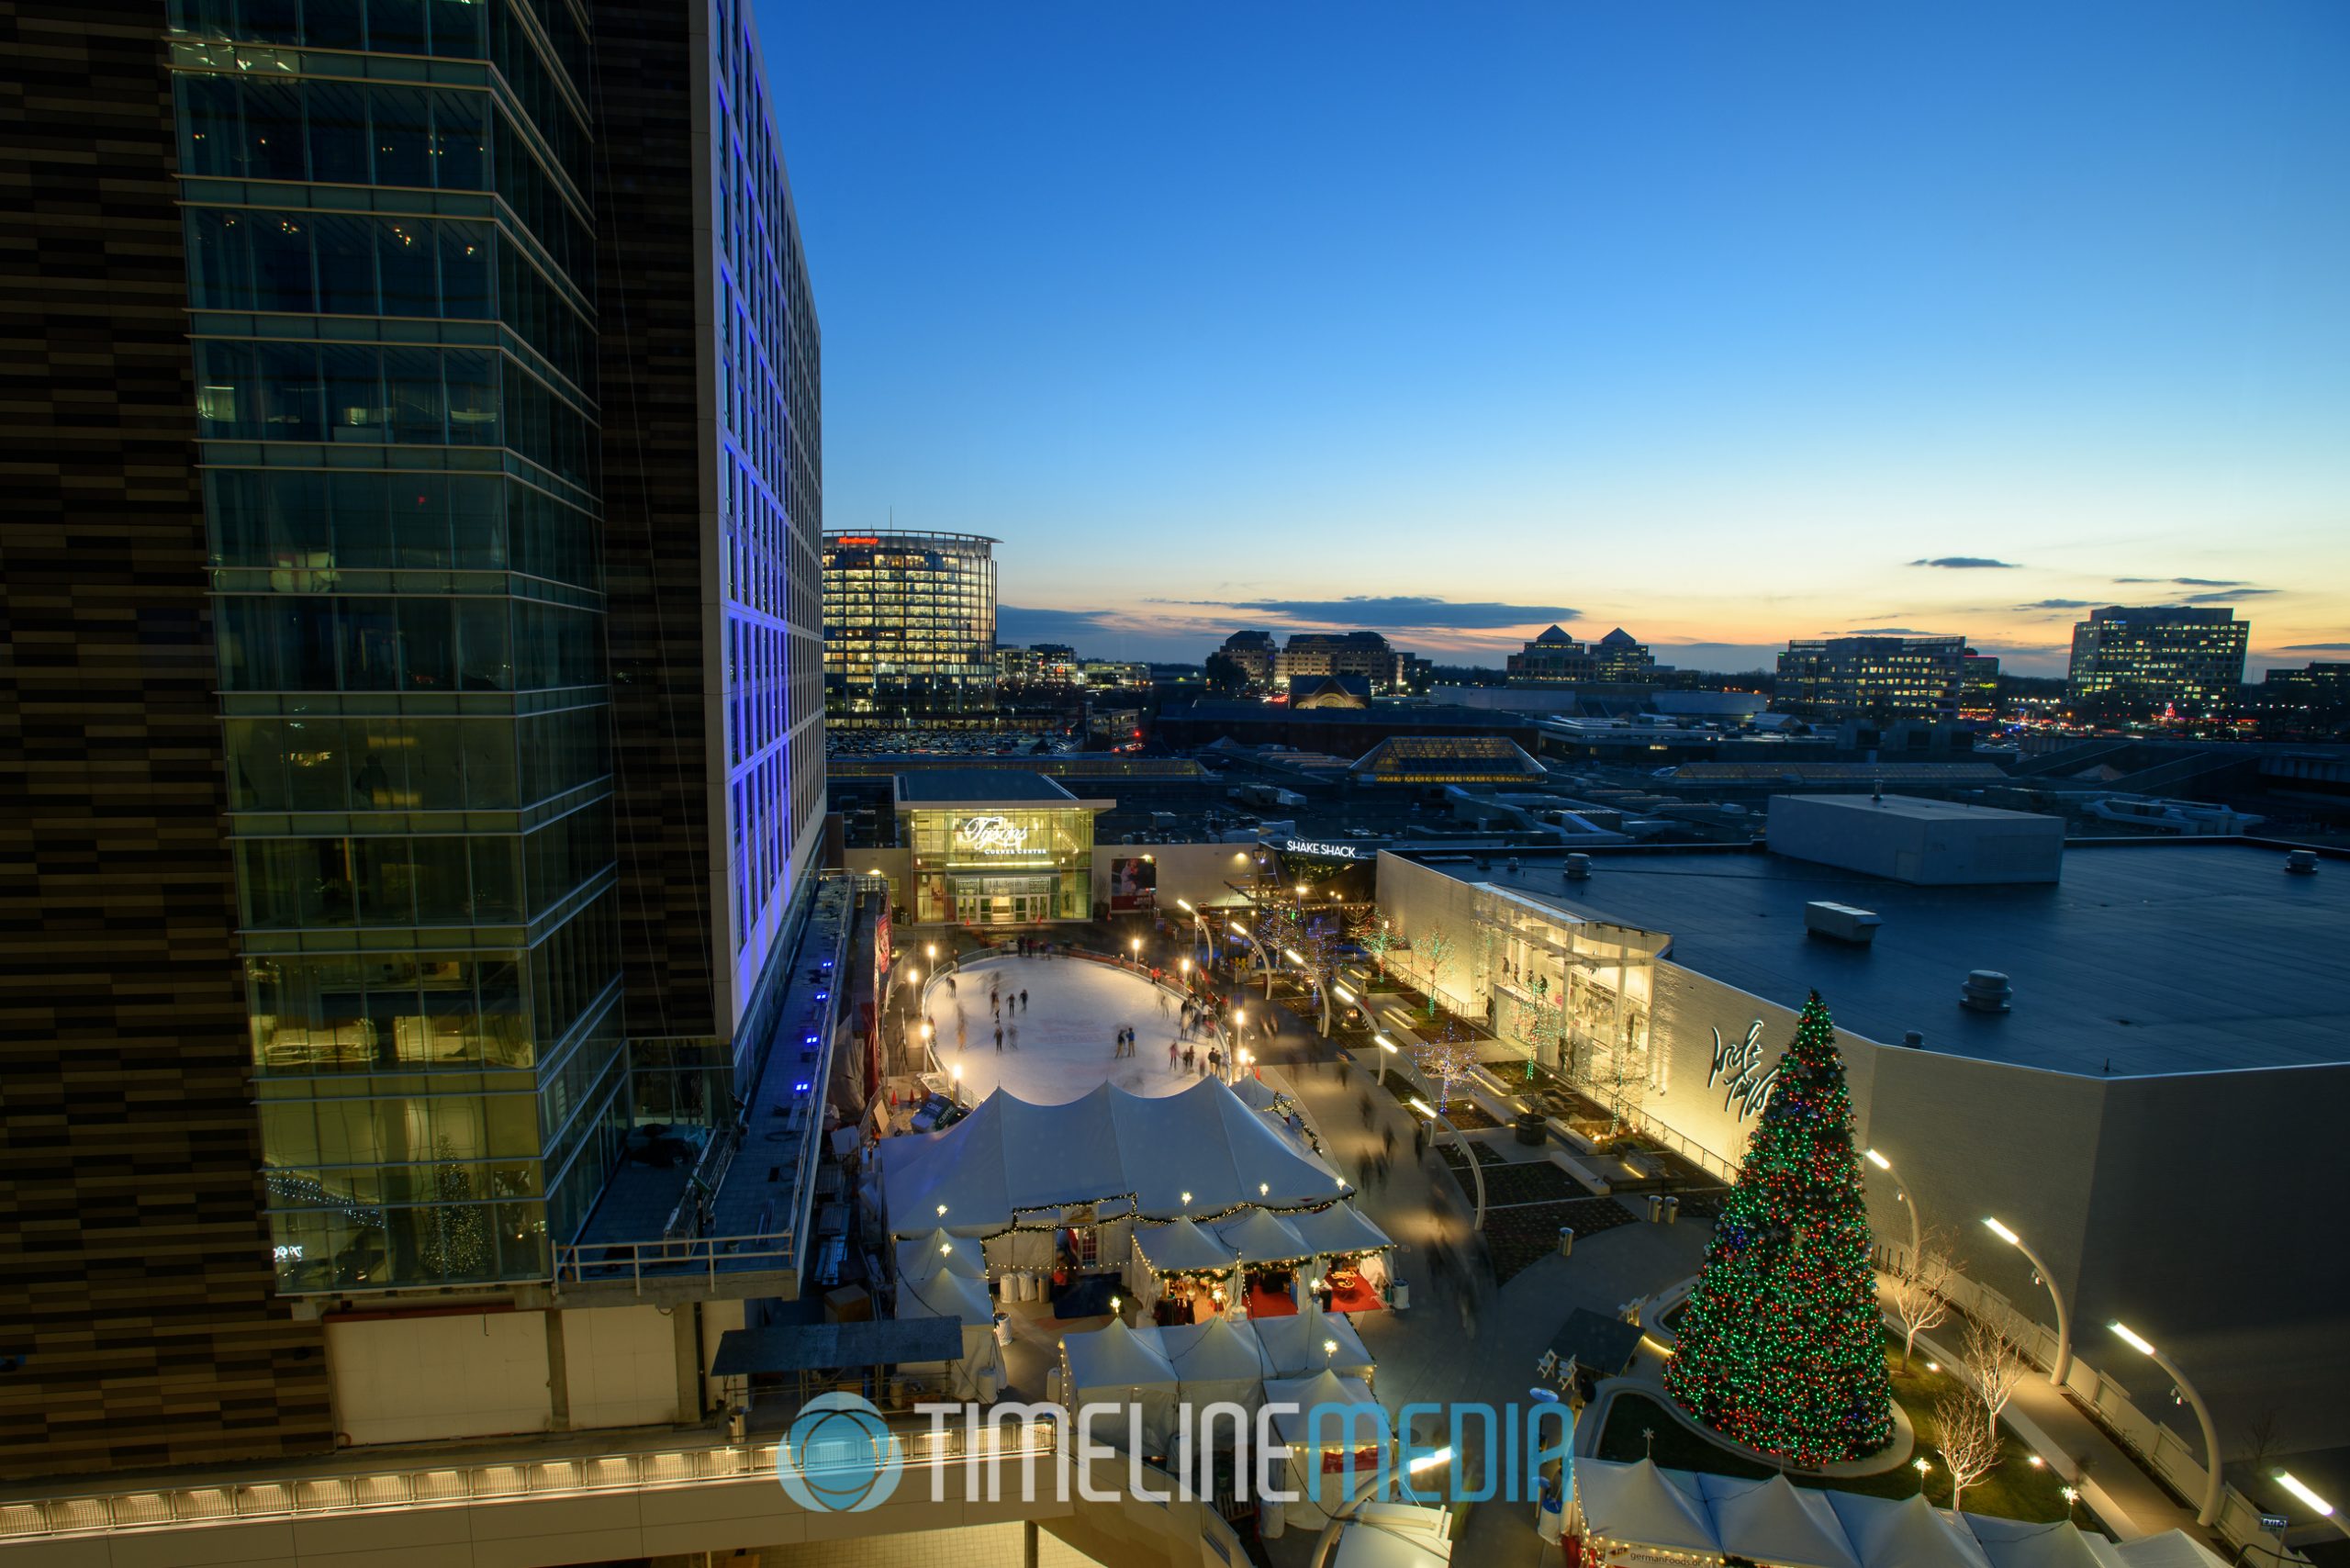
column 363, row 944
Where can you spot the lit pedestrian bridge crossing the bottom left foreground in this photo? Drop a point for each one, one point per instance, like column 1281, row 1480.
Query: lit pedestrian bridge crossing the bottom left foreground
column 535, row 1508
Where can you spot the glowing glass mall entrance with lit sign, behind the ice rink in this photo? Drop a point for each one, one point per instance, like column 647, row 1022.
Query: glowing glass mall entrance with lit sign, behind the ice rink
column 995, row 847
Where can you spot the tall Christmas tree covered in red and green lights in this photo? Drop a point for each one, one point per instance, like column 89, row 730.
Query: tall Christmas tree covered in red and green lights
column 1780, row 1346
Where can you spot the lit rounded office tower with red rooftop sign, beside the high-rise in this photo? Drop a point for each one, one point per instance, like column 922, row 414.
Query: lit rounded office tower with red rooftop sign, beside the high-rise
column 911, row 629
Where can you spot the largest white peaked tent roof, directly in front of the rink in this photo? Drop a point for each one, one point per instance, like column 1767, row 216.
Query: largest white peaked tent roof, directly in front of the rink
column 1012, row 1155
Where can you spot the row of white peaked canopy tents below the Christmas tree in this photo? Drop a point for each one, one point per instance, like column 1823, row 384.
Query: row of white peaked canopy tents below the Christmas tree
column 1646, row 1517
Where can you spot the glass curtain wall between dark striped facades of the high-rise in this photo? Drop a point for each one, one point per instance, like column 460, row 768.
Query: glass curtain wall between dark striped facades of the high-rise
column 391, row 283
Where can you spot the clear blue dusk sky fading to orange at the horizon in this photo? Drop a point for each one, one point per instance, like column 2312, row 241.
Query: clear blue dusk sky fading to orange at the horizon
column 1696, row 319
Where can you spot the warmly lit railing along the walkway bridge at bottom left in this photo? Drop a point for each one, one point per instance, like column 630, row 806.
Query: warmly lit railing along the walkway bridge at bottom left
column 464, row 1485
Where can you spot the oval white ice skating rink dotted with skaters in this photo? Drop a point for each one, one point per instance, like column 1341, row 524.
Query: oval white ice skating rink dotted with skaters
column 1068, row 1031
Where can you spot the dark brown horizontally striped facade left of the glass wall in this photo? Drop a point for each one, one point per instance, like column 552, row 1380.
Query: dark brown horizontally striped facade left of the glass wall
column 137, row 1313
